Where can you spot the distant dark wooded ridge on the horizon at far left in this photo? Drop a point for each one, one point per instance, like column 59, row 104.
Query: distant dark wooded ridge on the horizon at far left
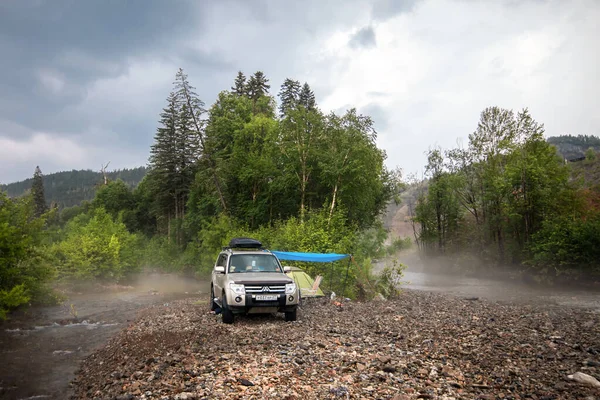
column 70, row 188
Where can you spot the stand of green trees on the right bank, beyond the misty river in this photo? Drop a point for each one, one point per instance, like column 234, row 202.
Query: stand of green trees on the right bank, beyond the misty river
column 508, row 199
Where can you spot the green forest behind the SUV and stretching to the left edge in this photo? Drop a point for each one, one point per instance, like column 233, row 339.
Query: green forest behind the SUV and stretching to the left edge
column 253, row 164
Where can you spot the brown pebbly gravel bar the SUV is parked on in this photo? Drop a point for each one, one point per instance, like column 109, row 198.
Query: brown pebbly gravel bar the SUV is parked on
column 420, row 346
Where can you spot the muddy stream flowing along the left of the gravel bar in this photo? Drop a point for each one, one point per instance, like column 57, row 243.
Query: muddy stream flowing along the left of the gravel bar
column 40, row 350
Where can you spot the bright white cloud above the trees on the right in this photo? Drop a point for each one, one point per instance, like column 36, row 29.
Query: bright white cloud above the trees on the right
column 445, row 61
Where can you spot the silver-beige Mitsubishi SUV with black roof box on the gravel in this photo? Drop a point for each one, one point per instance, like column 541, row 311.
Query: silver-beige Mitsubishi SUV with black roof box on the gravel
column 249, row 279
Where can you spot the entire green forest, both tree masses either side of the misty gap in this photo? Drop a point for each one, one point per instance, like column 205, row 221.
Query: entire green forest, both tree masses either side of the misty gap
column 279, row 169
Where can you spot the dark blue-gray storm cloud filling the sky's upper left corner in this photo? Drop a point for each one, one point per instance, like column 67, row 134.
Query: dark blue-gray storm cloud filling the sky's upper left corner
column 53, row 50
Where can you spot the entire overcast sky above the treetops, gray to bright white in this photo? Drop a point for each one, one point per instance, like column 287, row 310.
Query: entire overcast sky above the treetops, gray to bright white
column 82, row 82
